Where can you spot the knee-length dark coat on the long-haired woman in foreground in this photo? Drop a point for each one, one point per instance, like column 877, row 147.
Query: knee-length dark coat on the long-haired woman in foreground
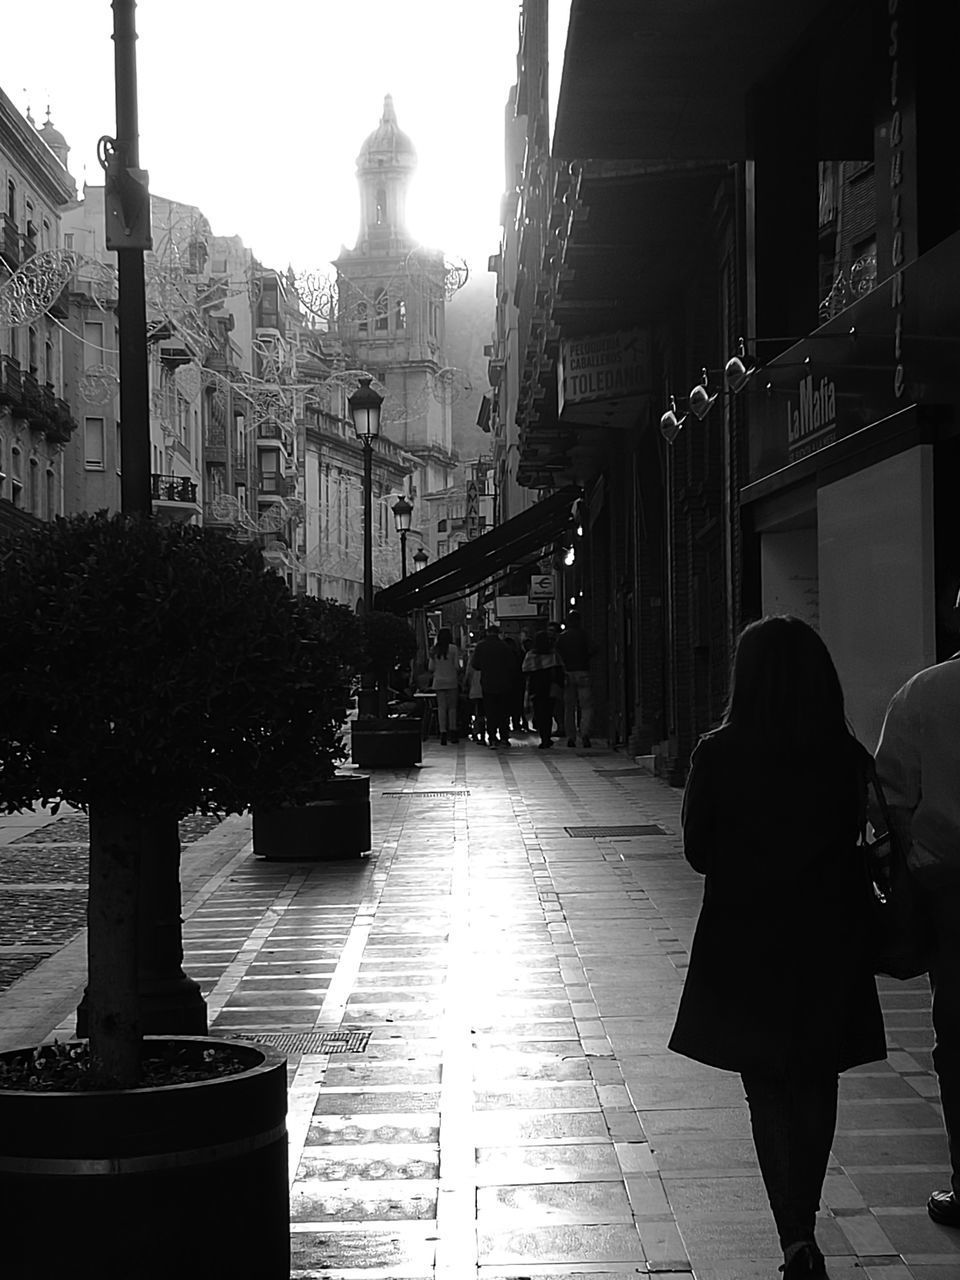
column 779, row 968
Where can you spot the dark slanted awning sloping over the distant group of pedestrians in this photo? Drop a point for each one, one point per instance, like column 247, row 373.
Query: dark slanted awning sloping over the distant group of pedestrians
column 524, row 538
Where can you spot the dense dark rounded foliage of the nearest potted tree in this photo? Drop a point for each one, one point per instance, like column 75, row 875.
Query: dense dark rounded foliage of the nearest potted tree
column 163, row 669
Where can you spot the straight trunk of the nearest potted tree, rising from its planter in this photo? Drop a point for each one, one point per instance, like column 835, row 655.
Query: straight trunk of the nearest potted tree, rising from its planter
column 112, row 949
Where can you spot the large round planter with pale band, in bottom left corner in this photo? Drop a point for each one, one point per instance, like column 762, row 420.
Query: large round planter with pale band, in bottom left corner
column 179, row 1181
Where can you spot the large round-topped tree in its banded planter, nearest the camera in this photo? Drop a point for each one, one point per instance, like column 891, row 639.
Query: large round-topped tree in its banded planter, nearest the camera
column 149, row 671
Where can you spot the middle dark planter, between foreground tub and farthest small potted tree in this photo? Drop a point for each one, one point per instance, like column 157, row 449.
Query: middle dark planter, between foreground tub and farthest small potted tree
column 335, row 825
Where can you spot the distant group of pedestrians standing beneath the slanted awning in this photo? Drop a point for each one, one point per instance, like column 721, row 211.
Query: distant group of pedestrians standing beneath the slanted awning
column 552, row 670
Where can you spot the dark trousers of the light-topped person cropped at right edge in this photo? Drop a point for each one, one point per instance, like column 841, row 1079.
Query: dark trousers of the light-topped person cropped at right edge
column 944, row 908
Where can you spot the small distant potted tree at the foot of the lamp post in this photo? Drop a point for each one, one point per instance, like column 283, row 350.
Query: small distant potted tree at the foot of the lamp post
column 386, row 740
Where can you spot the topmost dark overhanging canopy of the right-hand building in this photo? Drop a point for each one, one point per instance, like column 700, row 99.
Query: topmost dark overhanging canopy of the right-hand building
column 669, row 81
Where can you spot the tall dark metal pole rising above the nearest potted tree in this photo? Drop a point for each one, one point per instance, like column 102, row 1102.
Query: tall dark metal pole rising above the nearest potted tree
column 131, row 310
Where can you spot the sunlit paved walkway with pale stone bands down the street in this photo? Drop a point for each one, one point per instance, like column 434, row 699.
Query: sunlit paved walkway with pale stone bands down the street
column 510, row 962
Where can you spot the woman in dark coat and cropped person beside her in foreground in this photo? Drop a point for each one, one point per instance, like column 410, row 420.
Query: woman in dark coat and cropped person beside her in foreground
column 780, row 988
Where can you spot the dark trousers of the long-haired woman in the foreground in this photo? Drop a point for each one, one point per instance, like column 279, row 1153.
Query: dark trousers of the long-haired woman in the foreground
column 793, row 1117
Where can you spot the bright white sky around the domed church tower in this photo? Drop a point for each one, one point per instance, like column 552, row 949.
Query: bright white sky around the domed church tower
column 257, row 113
